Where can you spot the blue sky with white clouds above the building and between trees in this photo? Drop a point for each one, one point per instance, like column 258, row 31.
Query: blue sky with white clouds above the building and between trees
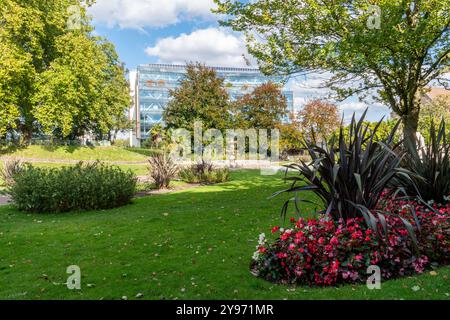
column 176, row 31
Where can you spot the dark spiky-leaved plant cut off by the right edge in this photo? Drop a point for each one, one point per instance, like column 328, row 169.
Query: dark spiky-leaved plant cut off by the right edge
column 430, row 166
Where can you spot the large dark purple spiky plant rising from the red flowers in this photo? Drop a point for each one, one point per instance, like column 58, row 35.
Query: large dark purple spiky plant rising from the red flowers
column 349, row 174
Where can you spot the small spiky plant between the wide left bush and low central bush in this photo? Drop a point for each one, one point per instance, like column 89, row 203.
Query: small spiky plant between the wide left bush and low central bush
column 162, row 170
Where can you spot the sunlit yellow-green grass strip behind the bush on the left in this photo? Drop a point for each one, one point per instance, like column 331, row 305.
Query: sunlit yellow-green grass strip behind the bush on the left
column 79, row 153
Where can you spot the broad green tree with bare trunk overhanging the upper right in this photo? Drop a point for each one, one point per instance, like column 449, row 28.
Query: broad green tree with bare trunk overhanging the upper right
column 395, row 48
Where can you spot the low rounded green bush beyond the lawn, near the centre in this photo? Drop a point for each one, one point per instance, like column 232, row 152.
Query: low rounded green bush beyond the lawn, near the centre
column 204, row 172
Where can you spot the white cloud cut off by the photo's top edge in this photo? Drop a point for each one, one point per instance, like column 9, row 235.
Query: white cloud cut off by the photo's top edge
column 138, row 14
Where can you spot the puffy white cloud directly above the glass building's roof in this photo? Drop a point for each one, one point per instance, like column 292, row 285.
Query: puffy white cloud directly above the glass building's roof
column 212, row 46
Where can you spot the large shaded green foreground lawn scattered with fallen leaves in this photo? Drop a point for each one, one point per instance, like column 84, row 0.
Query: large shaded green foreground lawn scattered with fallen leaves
column 191, row 244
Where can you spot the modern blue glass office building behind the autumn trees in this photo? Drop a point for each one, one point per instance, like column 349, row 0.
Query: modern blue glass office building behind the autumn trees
column 151, row 84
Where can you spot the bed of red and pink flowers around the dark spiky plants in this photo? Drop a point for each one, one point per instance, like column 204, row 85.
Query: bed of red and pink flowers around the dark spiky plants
column 322, row 252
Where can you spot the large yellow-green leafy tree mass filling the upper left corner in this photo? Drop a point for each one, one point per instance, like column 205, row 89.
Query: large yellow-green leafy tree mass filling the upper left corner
column 54, row 79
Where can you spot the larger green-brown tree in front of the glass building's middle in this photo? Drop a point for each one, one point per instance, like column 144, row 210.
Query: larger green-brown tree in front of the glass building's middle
column 201, row 96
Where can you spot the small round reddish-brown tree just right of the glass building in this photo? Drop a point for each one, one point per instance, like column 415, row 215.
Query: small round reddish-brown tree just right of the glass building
column 319, row 120
